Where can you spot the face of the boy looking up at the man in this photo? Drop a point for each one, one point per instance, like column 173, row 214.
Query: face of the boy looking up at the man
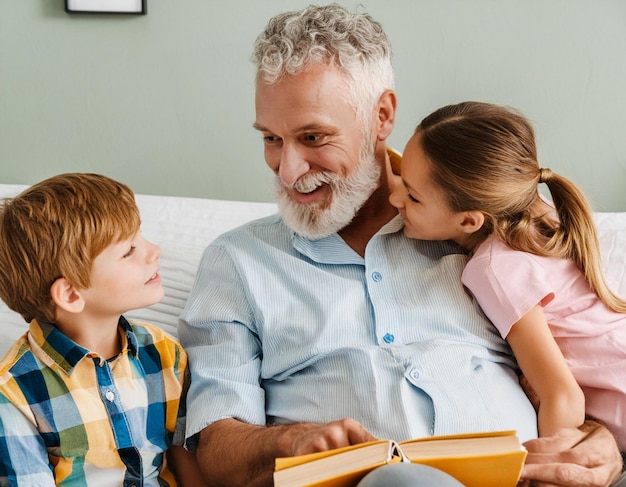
column 124, row 277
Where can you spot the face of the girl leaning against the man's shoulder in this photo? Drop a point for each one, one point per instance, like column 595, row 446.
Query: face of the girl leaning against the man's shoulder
column 422, row 204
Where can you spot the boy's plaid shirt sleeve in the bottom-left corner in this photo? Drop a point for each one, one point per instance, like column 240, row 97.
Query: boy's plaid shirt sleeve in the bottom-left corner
column 23, row 456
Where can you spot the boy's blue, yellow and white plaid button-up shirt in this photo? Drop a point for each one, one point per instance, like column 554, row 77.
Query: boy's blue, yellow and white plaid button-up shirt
column 70, row 417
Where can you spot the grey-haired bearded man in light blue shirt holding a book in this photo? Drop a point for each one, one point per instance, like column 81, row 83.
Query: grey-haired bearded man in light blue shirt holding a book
column 325, row 326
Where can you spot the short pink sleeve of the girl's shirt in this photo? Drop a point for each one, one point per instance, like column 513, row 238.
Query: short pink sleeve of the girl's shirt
column 506, row 284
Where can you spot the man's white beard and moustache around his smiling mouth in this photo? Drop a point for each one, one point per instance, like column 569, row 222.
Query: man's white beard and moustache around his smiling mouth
column 347, row 196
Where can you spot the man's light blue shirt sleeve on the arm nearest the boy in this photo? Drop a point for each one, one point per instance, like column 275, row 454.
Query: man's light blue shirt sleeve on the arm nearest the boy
column 217, row 330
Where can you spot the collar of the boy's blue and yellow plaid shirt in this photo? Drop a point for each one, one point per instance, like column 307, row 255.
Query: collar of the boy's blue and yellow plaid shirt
column 65, row 352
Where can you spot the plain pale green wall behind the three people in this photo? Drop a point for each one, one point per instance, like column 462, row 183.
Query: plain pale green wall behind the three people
column 164, row 102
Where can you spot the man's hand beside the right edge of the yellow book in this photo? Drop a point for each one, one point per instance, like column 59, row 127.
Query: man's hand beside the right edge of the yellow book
column 584, row 457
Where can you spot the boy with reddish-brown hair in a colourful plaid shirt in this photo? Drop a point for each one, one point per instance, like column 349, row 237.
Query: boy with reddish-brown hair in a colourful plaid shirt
column 86, row 397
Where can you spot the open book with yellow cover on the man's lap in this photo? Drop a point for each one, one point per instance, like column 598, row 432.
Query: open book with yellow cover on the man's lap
column 476, row 460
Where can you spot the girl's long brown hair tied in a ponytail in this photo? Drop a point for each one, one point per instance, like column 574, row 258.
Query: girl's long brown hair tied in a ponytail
column 484, row 157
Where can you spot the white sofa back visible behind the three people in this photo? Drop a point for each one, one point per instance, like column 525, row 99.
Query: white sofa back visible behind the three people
column 184, row 226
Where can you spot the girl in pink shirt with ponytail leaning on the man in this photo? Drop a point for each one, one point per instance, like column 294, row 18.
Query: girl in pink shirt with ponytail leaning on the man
column 471, row 175
